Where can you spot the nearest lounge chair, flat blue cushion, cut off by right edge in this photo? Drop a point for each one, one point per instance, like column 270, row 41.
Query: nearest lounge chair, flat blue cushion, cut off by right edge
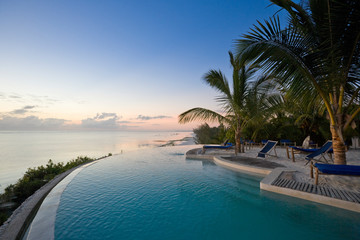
column 327, row 169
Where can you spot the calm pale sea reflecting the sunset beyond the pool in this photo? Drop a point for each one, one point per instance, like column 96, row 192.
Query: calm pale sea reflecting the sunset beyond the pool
column 21, row 150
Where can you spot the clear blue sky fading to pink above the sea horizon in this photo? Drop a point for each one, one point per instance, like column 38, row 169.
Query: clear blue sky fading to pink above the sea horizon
column 115, row 65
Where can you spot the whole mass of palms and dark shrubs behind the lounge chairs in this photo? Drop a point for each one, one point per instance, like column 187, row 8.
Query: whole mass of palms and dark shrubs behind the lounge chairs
column 312, row 80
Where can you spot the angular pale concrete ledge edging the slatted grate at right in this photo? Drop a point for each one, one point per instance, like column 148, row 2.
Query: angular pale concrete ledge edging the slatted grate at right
column 265, row 184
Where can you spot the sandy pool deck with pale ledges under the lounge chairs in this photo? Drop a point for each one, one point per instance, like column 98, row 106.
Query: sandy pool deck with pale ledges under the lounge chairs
column 283, row 176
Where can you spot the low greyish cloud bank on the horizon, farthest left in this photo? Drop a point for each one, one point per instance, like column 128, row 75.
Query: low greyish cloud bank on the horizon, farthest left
column 31, row 123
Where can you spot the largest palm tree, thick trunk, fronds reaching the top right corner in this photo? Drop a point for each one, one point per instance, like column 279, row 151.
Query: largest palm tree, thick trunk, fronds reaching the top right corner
column 316, row 55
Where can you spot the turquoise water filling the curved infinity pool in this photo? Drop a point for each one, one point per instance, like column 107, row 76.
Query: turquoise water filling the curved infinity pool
column 158, row 194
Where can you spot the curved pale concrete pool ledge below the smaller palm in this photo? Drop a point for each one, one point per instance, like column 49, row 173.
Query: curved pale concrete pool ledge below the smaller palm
column 240, row 167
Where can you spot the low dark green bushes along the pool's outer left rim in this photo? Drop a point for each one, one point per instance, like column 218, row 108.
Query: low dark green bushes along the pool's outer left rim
column 33, row 179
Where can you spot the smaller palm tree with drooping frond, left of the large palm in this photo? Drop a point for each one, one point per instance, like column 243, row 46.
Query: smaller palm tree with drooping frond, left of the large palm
column 235, row 102
